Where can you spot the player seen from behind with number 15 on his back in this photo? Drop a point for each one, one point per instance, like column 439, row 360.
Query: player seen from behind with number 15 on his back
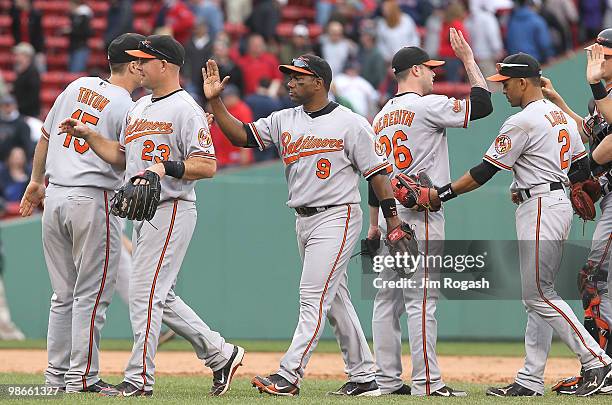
column 81, row 240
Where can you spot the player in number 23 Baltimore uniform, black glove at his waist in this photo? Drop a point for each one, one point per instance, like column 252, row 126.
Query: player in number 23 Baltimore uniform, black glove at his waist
column 165, row 133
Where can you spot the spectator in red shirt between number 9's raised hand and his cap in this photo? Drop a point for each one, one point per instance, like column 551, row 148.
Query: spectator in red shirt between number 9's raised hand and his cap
column 258, row 64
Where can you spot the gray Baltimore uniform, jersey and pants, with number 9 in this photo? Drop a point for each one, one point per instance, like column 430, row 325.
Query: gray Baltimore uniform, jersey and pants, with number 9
column 324, row 154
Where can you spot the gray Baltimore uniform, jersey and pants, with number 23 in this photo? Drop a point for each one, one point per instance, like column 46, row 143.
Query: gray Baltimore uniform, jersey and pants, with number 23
column 169, row 128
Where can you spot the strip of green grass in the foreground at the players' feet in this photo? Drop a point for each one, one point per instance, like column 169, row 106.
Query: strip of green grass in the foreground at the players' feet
column 187, row 390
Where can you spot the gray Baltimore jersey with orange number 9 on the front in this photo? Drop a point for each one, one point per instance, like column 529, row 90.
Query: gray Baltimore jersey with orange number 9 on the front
column 324, row 153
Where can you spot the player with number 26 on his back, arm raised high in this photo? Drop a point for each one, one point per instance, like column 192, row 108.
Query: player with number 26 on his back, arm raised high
column 417, row 144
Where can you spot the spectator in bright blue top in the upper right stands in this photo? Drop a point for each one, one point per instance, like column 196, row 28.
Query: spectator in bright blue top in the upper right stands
column 527, row 32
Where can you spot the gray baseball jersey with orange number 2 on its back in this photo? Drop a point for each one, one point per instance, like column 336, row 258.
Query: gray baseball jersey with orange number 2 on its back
column 538, row 144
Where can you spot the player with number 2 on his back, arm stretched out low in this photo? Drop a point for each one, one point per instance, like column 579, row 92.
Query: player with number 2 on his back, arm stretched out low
column 542, row 147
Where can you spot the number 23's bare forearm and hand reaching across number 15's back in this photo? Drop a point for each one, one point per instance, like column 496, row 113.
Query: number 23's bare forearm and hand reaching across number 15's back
column 108, row 150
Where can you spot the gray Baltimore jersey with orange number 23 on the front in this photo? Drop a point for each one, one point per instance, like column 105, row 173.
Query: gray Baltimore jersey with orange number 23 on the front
column 172, row 127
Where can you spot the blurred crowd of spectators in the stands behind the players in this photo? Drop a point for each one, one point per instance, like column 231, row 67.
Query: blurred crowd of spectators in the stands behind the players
column 357, row 38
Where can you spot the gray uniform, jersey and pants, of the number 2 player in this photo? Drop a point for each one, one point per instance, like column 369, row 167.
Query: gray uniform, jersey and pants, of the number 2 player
column 538, row 145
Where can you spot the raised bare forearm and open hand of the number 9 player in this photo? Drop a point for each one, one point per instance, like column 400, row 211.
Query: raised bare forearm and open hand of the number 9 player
column 231, row 127
